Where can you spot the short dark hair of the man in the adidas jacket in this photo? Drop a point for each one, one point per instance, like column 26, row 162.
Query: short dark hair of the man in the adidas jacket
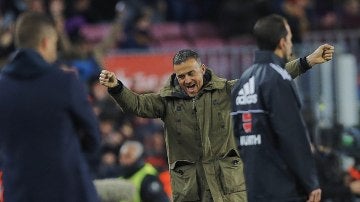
column 269, row 30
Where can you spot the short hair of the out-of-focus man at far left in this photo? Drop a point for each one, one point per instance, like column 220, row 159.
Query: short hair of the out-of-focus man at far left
column 30, row 28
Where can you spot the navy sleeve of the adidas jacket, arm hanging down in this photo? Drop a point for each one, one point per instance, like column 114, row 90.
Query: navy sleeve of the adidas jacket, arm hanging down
column 290, row 132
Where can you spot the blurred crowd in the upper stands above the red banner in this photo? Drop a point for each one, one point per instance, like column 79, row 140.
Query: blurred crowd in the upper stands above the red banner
column 140, row 24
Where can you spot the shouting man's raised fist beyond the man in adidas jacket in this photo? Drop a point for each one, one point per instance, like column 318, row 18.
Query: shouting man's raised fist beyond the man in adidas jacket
column 322, row 54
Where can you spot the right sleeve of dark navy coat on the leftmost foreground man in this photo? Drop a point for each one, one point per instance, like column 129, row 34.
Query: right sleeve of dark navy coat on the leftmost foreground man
column 83, row 116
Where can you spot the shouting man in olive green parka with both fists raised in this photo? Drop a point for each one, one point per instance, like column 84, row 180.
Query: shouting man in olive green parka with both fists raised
column 195, row 107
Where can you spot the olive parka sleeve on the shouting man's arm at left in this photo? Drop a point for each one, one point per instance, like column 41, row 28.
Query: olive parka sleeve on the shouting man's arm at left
column 149, row 105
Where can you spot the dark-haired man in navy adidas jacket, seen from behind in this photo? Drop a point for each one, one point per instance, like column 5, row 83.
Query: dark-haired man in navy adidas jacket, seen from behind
column 272, row 137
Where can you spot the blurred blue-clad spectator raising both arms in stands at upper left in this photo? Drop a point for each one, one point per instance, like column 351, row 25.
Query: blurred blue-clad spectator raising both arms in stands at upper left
column 76, row 50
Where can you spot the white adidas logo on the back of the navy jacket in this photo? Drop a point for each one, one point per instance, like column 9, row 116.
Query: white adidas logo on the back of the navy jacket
column 246, row 94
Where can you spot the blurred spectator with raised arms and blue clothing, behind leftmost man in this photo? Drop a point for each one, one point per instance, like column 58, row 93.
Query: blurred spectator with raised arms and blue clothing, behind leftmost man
column 79, row 48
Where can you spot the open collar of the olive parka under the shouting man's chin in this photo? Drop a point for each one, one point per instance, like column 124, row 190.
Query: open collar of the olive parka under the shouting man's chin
column 211, row 82
